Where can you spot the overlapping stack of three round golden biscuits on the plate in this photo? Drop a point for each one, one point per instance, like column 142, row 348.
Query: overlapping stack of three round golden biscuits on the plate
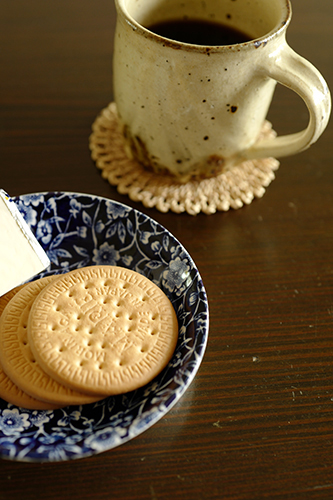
column 79, row 337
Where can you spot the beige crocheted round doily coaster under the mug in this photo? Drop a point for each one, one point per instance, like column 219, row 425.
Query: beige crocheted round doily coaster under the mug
column 231, row 189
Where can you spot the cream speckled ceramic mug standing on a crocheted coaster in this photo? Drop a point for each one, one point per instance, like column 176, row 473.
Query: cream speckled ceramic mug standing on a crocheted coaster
column 194, row 110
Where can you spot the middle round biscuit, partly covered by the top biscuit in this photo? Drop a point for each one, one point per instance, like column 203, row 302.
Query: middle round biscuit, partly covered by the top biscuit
column 17, row 359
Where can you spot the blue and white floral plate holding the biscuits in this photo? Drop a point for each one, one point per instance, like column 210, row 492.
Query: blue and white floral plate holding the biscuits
column 79, row 230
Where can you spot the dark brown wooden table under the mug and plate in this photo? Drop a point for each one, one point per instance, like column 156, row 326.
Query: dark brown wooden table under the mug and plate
column 257, row 421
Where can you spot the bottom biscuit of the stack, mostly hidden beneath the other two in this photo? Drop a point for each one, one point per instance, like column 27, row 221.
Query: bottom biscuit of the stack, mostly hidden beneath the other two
column 8, row 390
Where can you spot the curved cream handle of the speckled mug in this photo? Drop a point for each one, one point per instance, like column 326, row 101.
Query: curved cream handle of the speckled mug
column 298, row 74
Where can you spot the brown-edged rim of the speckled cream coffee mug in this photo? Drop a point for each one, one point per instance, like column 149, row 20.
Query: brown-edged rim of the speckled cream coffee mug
column 253, row 43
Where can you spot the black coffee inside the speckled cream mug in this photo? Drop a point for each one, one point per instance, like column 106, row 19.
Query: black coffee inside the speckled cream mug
column 199, row 32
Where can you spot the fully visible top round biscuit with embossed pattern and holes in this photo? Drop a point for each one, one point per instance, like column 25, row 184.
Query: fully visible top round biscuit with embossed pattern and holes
column 103, row 330
